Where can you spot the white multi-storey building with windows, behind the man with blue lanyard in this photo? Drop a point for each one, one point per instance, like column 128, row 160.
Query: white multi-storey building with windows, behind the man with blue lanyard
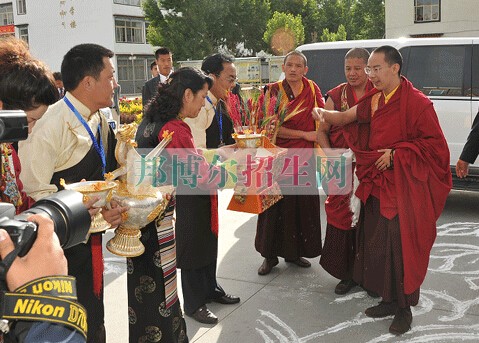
column 52, row 27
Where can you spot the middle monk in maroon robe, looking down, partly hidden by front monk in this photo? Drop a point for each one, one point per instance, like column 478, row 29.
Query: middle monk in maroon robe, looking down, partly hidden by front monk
column 338, row 254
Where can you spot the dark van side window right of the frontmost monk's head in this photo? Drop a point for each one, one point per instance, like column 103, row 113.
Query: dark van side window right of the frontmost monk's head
column 437, row 70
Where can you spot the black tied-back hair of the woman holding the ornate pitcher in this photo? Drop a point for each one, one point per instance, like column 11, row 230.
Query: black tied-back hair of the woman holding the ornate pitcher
column 168, row 101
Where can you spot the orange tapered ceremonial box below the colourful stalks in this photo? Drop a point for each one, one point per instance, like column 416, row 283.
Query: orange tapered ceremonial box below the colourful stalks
column 261, row 194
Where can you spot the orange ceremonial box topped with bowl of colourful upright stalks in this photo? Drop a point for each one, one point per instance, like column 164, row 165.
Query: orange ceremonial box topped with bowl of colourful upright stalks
column 256, row 122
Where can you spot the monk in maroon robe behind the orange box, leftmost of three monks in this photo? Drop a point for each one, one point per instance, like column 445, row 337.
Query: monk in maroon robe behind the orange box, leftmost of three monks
column 291, row 228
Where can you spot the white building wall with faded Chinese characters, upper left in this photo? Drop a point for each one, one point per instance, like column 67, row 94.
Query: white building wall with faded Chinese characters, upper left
column 49, row 39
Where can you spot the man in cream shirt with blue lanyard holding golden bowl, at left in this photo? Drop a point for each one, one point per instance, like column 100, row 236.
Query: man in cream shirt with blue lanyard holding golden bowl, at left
column 73, row 141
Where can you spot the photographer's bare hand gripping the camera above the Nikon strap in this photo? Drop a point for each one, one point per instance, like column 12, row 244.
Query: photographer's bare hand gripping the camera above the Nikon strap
column 45, row 257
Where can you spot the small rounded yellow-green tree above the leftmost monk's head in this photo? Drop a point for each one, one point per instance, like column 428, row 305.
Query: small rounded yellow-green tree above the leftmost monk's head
column 284, row 32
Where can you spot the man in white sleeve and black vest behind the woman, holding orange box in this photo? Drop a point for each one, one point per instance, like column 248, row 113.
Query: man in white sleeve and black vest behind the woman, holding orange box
column 197, row 215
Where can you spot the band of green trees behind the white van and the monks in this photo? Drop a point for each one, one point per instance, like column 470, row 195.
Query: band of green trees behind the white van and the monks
column 193, row 29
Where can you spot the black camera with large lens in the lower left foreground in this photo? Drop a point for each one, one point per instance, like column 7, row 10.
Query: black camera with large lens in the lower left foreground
column 67, row 211
